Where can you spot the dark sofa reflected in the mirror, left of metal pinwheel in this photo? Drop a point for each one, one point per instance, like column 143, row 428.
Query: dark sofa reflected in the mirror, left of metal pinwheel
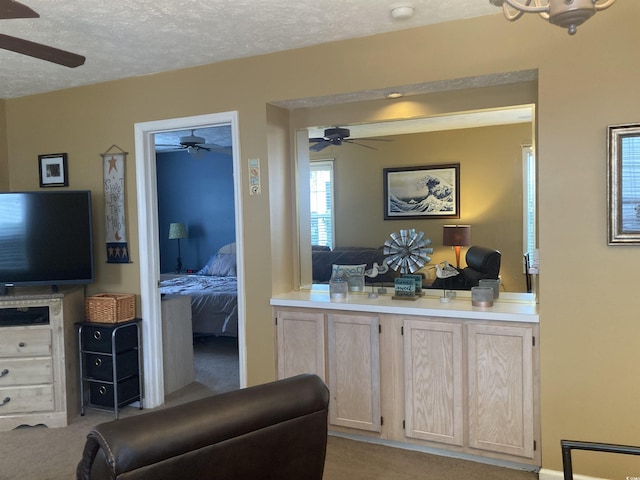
column 324, row 259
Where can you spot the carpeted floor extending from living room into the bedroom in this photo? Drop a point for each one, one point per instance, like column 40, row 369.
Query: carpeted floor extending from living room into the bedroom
column 40, row 453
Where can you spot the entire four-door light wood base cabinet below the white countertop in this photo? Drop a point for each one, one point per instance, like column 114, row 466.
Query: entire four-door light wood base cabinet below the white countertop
column 460, row 384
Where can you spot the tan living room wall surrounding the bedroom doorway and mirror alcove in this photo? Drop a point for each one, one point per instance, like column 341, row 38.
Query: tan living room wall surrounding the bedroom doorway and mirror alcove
column 589, row 303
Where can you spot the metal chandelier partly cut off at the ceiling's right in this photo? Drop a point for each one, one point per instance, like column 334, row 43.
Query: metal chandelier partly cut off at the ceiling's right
column 569, row 14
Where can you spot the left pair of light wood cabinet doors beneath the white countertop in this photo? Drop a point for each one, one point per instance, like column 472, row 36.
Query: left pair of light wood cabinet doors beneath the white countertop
column 341, row 349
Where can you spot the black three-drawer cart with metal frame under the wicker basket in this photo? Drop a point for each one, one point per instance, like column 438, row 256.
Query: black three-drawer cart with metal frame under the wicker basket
column 110, row 365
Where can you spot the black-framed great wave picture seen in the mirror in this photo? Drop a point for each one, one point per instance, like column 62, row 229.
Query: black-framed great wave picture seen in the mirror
column 422, row 192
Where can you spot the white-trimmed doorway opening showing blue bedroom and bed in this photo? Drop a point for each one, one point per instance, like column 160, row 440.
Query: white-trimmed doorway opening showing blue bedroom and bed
column 195, row 185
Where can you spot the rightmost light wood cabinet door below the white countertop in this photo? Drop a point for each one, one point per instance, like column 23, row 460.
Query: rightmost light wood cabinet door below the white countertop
column 501, row 393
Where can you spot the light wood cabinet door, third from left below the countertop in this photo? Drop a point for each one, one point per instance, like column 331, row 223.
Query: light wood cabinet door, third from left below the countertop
column 434, row 403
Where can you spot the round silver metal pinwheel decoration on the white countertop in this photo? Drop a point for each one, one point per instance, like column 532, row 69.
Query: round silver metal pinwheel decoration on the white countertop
column 407, row 250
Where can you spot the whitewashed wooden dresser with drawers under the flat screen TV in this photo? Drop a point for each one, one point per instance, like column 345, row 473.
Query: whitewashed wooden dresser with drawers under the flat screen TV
column 38, row 352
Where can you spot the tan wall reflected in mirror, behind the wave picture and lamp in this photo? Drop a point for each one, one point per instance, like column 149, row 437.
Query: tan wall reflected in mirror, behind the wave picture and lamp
column 490, row 161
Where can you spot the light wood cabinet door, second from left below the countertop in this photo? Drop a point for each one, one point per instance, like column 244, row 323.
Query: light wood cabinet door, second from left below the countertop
column 354, row 371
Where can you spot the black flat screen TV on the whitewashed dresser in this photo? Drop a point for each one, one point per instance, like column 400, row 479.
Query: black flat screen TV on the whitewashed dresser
column 46, row 238
